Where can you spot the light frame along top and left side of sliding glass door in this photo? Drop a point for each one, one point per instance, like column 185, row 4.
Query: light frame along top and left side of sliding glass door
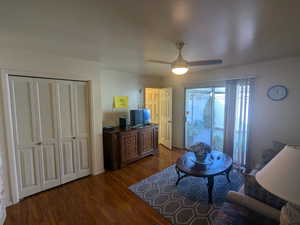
column 215, row 84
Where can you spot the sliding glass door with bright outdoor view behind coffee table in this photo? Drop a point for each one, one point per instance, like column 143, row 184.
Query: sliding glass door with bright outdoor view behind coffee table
column 204, row 116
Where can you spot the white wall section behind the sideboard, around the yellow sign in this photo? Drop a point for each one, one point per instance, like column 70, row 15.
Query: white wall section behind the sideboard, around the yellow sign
column 116, row 83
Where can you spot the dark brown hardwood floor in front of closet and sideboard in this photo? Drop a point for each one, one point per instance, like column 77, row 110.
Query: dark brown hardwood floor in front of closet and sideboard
column 103, row 199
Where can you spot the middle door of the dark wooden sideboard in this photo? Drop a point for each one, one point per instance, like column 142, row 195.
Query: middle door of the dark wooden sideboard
column 129, row 147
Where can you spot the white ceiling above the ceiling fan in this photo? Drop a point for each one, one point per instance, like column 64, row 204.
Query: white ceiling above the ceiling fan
column 121, row 34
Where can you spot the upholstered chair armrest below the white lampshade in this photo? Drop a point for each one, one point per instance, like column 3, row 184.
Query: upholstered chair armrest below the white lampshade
column 253, row 204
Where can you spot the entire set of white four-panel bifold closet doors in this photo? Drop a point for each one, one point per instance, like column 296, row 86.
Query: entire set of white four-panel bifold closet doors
column 51, row 130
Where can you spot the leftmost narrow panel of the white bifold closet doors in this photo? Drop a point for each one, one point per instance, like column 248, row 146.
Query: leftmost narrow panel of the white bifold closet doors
column 28, row 152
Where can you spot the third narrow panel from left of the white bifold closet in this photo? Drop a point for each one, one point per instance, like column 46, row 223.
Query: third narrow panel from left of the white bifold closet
column 67, row 131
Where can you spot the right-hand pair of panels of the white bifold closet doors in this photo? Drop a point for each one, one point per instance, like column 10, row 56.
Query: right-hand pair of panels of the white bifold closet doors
column 73, row 130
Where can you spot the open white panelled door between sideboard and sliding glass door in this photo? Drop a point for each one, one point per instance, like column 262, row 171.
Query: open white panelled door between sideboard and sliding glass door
column 165, row 125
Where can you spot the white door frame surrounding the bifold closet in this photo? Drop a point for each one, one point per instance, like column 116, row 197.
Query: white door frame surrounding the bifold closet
column 8, row 126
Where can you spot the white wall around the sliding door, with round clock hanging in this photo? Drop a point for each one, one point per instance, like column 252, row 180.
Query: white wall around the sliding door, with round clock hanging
column 272, row 120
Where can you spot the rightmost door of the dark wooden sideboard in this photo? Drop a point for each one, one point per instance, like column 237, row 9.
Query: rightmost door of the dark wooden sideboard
column 146, row 140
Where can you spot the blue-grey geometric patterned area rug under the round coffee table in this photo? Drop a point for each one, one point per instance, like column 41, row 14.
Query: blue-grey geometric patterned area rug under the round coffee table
column 186, row 204
